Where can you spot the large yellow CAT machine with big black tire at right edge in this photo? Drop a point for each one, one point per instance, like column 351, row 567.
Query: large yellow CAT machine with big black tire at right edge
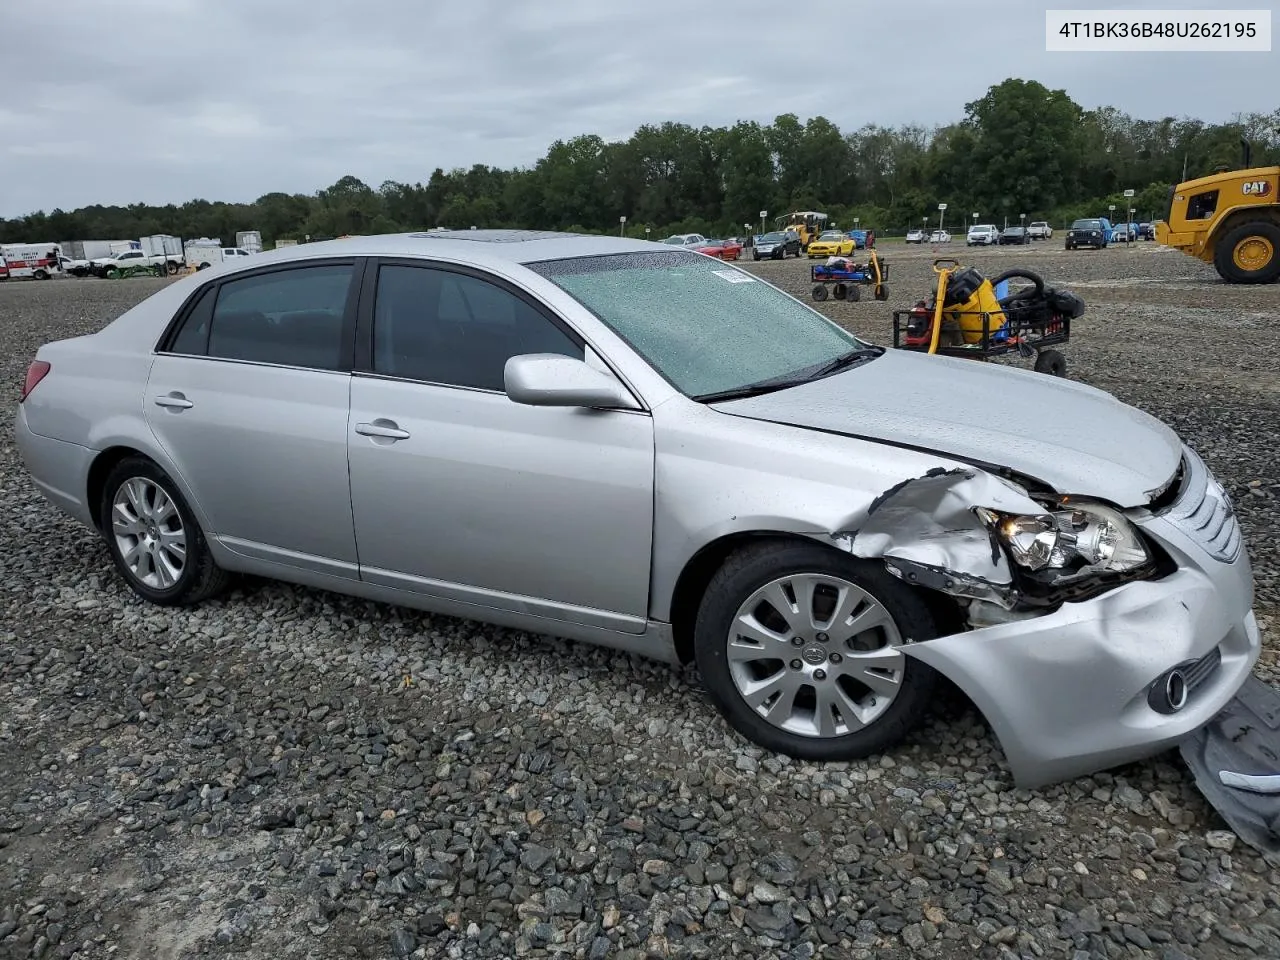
column 1231, row 221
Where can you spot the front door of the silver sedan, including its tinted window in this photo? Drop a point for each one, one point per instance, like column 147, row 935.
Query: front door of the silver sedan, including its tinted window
column 459, row 492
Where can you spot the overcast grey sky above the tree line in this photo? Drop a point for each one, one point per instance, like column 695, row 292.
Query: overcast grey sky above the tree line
column 170, row 100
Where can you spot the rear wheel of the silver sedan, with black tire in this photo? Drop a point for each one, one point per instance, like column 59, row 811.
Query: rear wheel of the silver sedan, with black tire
column 199, row 578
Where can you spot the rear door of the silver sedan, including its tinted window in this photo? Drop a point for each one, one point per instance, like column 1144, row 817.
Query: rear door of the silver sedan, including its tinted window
column 249, row 396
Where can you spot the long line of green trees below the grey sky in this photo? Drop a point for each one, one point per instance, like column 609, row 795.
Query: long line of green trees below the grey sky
column 1021, row 149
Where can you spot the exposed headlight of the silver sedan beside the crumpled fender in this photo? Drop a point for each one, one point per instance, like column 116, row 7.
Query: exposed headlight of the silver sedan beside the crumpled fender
column 1073, row 540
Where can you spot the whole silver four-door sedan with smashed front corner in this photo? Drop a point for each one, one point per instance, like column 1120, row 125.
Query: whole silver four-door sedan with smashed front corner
column 646, row 449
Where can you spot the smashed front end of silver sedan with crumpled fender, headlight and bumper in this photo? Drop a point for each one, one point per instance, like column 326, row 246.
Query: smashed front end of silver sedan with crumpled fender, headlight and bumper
column 1073, row 674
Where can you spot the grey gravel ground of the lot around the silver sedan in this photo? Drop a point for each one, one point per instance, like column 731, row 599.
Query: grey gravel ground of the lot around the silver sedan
column 290, row 774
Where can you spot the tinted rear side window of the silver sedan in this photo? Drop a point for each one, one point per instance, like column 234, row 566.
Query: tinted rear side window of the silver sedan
column 290, row 318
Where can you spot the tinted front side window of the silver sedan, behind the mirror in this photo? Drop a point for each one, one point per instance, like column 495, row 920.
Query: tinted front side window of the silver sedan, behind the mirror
column 456, row 330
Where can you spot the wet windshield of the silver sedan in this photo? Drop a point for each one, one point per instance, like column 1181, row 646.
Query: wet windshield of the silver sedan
column 702, row 324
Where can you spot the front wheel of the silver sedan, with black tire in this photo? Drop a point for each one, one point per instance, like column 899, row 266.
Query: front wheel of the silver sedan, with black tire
column 767, row 568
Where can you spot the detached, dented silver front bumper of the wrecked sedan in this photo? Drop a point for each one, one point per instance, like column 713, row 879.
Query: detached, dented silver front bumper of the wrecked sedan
column 1067, row 694
